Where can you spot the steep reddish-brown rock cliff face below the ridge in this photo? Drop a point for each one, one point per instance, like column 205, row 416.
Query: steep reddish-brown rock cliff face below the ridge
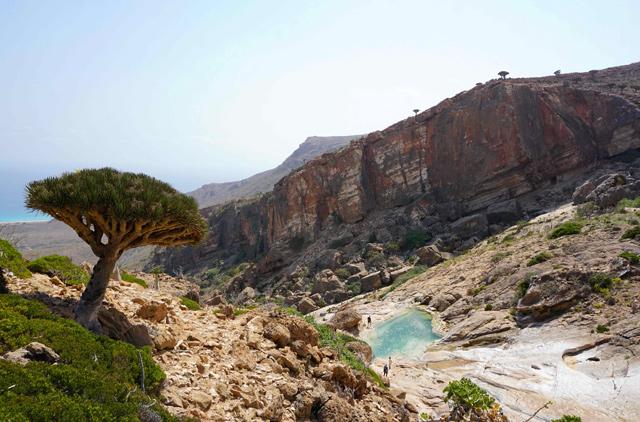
column 473, row 160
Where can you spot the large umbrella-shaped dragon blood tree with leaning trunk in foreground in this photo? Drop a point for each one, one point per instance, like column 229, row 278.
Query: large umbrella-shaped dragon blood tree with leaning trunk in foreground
column 114, row 211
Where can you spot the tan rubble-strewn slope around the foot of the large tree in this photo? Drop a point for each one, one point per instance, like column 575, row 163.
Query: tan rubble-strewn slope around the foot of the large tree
column 222, row 365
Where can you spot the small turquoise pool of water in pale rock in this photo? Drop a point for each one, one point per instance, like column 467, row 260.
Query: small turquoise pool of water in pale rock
column 406, row 335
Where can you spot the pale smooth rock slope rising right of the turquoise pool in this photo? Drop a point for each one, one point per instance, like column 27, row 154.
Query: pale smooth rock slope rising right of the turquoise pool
column 529, row 318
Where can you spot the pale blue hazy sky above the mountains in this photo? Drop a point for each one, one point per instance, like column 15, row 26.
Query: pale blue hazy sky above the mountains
column 201, row 91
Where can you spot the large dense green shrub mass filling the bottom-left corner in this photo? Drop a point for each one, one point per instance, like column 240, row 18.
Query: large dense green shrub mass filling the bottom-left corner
column 96, row 379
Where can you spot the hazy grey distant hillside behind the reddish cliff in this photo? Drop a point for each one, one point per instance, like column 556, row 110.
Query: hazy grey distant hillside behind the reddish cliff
column 314, row 146
